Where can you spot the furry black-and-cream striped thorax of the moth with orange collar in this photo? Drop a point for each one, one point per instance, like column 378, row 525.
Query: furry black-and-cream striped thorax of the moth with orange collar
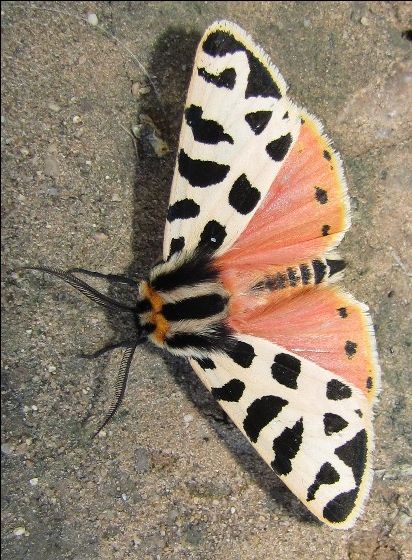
column 183, row 306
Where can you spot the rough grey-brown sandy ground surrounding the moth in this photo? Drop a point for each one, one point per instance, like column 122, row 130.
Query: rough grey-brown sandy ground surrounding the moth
column 171, row 478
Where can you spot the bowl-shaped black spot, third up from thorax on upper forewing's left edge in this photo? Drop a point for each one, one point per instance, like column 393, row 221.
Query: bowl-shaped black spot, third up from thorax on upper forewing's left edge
column 201, row 173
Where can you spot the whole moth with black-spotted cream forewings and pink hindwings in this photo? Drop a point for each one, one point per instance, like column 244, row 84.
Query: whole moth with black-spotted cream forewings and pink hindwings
column 246, row 289
